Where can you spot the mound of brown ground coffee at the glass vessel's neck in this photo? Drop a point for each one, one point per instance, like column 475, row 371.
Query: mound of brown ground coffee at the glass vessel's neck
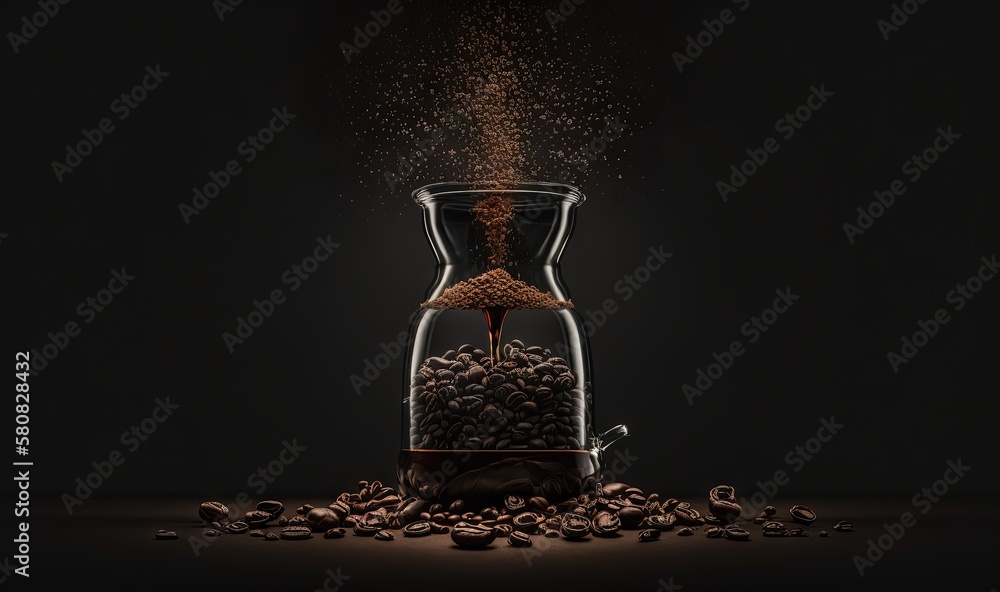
column 495, row 288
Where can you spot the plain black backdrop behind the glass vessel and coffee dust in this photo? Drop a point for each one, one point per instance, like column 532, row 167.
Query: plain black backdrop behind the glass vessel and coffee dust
column 825, row 357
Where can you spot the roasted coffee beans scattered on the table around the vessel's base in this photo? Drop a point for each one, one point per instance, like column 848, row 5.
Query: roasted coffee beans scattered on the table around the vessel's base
column 376, row 511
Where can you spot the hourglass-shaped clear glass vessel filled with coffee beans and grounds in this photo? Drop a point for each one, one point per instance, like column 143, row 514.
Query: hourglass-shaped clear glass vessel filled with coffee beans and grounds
column 498, row 394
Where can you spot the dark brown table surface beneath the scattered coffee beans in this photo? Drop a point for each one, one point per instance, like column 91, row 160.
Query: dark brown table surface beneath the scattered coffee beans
column 109, row 542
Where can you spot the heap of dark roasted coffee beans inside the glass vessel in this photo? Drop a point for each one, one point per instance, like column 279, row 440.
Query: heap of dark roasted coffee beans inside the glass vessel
column 532, row 400
